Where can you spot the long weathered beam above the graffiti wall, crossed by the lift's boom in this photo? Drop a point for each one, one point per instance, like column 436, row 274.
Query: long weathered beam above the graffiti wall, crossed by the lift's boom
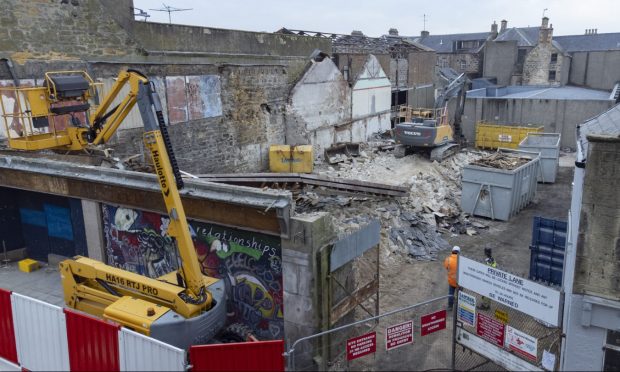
column 247, row 208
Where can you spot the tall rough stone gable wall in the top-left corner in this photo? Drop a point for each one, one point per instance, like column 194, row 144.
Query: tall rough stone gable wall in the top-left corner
column 52, row 30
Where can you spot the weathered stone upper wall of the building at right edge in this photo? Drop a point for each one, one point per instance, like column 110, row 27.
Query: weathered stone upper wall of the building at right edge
column 598, row 245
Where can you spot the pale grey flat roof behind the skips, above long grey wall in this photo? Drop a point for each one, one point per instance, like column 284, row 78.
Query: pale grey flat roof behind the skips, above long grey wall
column 538, row 92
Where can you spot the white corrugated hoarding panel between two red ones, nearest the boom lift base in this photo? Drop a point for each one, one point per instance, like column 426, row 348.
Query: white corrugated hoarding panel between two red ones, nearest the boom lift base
column 141, row 353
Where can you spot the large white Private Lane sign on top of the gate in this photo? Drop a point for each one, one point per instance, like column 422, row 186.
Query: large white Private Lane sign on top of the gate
column 521, row 294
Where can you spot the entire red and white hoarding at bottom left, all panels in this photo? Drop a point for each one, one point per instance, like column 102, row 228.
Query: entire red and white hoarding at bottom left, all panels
column 38, row 336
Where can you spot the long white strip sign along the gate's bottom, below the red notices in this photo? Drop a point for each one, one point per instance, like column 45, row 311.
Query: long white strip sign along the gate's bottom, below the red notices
column 498, row 355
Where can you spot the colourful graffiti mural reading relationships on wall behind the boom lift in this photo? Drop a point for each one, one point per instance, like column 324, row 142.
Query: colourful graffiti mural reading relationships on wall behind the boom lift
column 249, row 263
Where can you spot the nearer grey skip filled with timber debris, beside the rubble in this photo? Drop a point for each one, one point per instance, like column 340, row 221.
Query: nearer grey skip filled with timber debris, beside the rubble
column 497, row 193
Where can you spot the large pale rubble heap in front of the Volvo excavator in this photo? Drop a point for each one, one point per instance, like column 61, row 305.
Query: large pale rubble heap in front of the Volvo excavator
column 413, row 225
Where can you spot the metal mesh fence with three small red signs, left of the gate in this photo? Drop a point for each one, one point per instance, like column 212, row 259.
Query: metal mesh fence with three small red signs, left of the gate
column 417, row 337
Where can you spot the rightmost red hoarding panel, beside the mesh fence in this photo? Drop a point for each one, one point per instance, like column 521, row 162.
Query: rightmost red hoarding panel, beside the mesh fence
column 244, row 356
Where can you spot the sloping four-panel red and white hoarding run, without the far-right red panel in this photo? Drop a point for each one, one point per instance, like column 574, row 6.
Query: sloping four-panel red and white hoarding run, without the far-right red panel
column 38, row 336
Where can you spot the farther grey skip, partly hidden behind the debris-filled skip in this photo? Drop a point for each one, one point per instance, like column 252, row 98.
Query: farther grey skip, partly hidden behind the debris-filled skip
column 548, row 145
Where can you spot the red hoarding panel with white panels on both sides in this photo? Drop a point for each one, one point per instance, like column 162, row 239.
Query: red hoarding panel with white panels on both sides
column 93, row 343
